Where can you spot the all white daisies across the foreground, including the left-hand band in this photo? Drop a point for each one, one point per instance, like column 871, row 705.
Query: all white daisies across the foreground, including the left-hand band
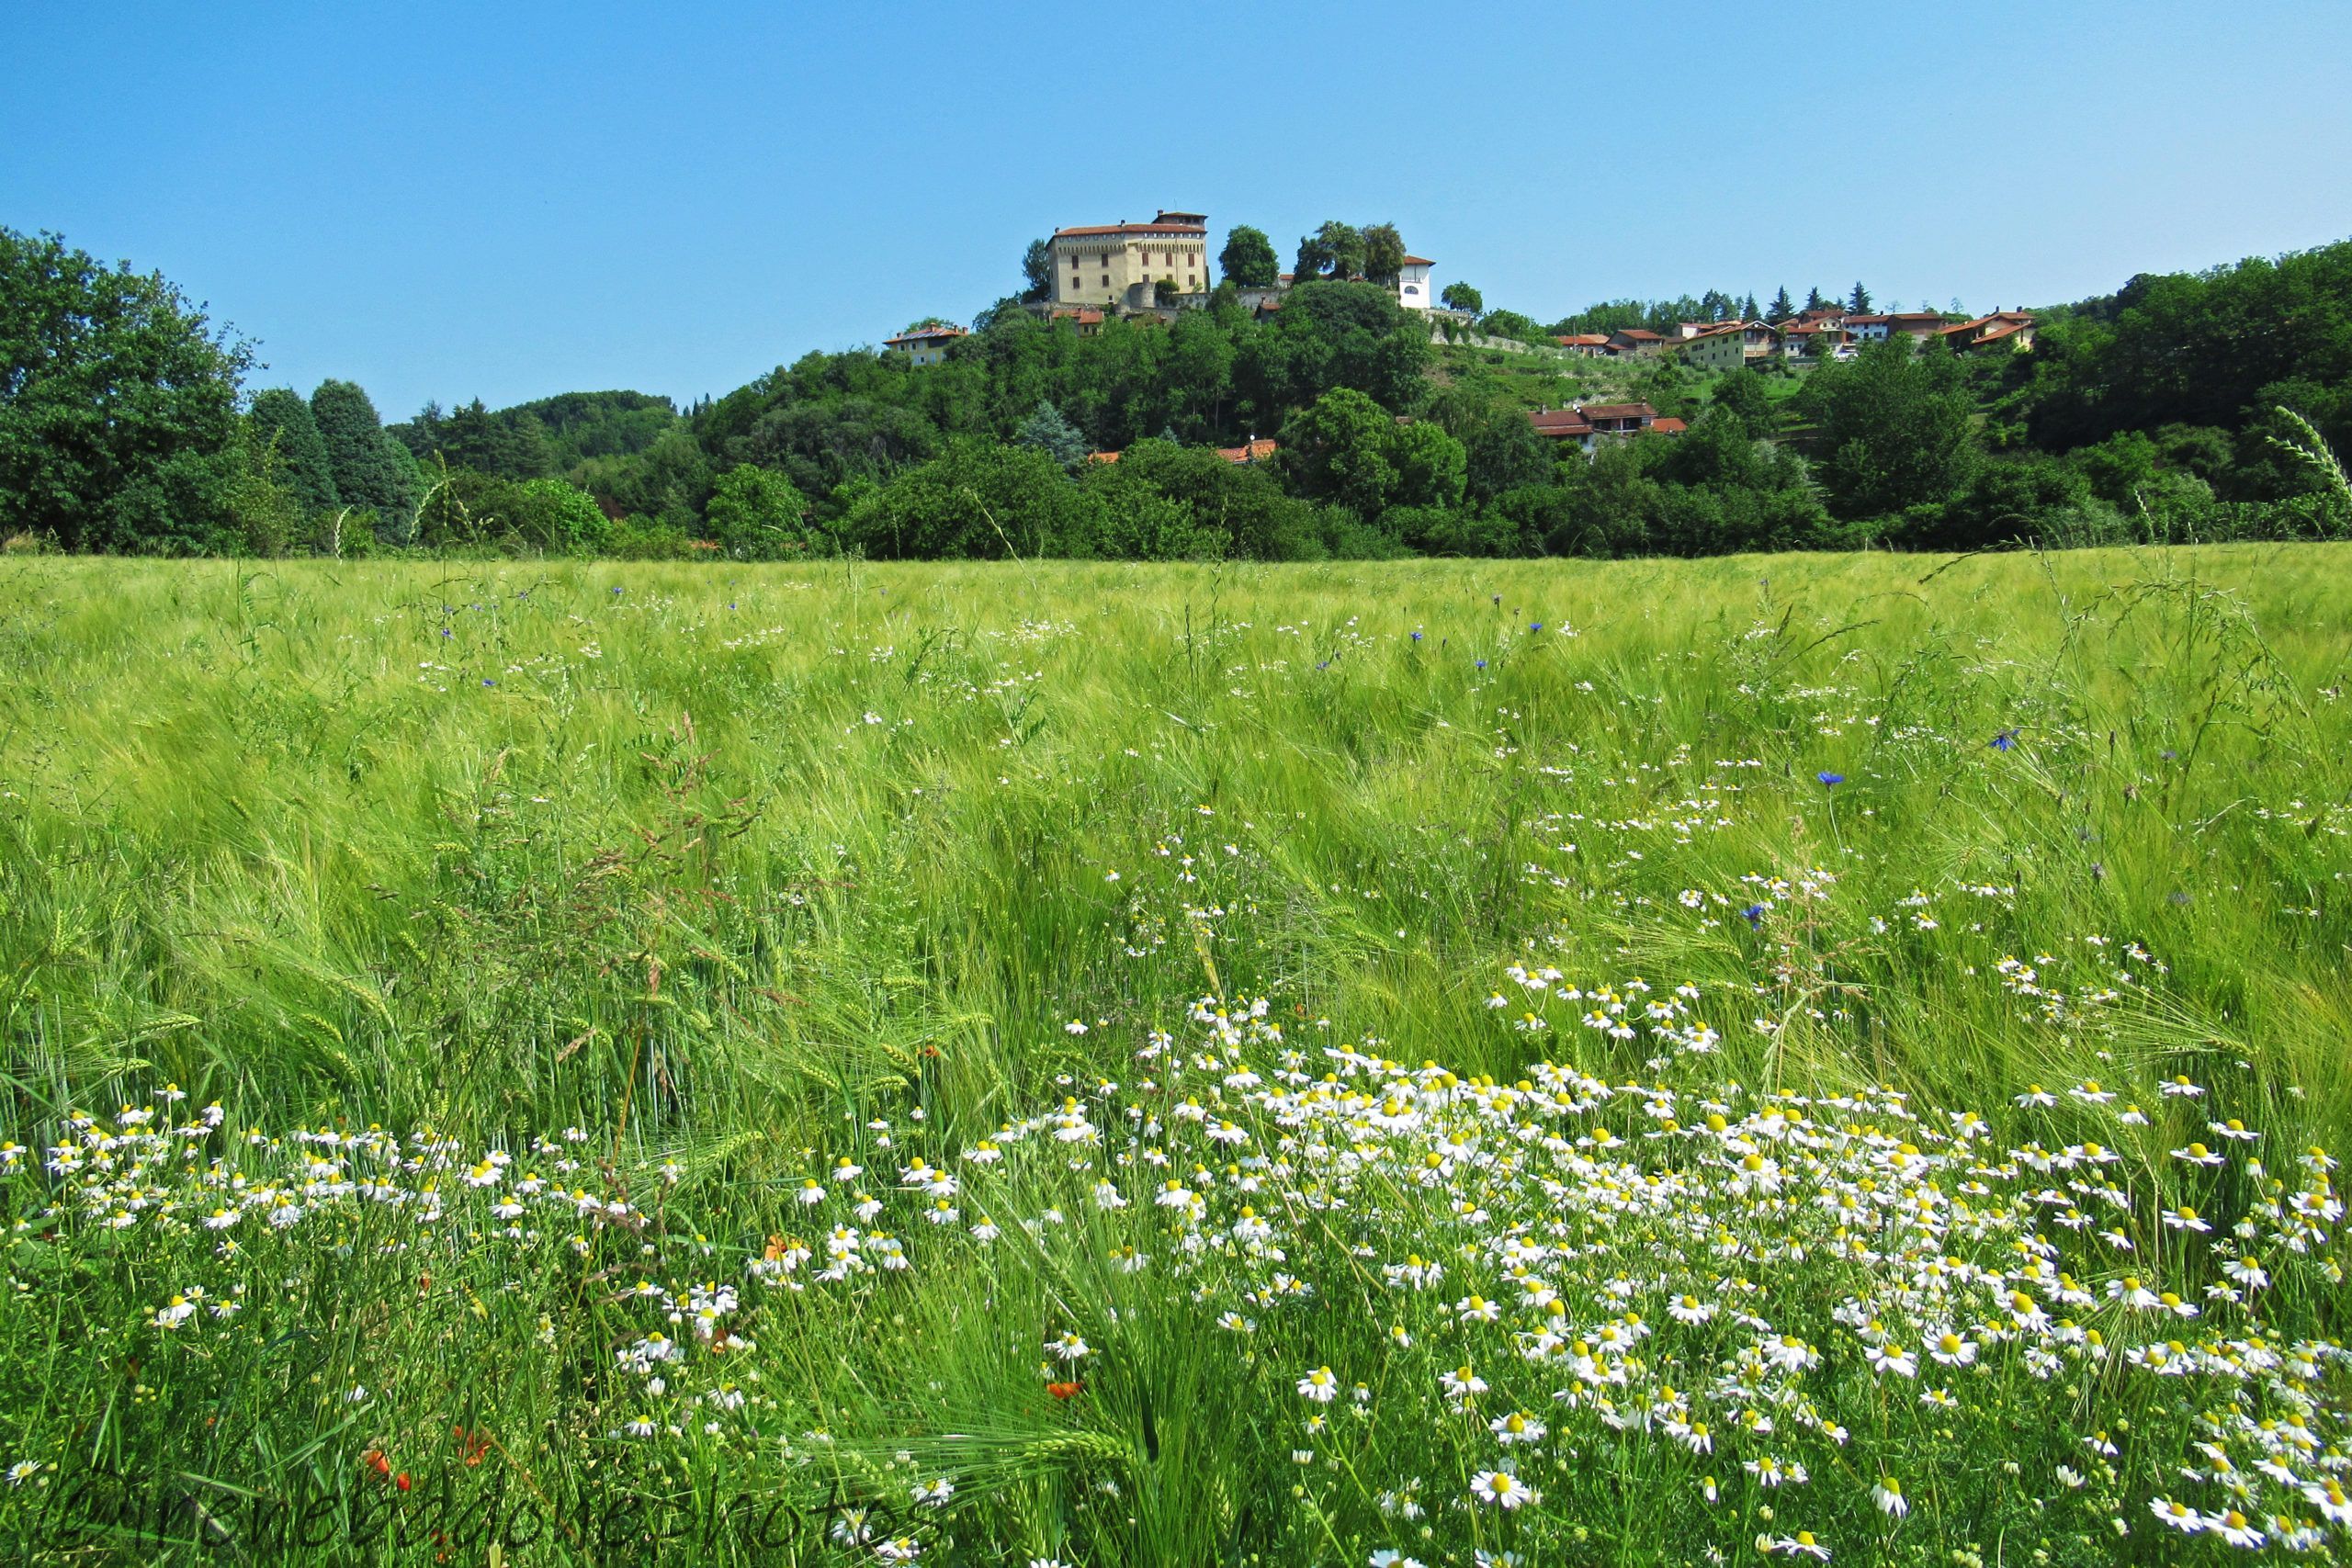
column 1786, row 1306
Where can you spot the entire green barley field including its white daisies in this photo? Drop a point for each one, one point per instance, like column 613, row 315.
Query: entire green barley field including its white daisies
column 1737, row 1061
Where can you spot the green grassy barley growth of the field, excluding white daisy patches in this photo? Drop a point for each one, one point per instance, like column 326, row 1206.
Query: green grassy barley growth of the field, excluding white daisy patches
column 721, row 869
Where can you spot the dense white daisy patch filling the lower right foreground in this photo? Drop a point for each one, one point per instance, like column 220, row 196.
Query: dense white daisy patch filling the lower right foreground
column 1793, row 1301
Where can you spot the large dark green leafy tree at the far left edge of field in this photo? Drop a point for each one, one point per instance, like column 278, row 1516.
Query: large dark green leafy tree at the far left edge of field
column 119, row 406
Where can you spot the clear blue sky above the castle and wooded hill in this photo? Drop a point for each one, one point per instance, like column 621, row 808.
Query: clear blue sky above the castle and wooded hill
column 512, row 201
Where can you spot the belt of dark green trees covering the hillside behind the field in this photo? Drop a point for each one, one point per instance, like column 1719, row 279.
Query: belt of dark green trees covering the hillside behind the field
column 2179, row 408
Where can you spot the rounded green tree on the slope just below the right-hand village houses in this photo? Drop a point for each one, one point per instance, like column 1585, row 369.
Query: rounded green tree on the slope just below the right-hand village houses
column 1895, row 429
